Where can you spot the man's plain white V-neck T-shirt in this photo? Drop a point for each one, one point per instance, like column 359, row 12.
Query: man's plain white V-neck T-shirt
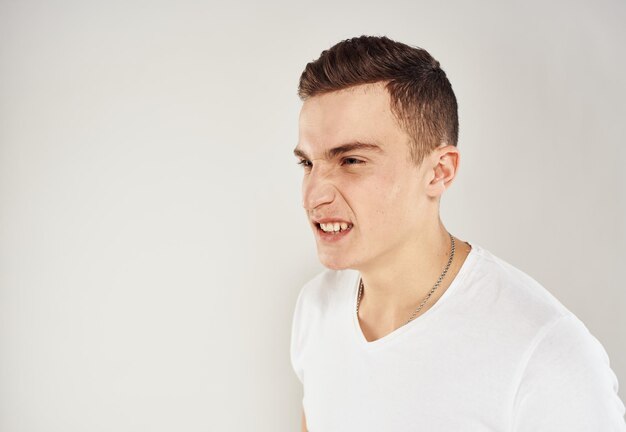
column 496, row 352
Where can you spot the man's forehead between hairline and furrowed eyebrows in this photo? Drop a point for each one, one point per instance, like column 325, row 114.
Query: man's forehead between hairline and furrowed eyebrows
column 360, row 113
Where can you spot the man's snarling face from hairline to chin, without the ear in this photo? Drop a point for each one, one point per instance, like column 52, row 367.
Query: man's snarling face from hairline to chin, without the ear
column 358, row 177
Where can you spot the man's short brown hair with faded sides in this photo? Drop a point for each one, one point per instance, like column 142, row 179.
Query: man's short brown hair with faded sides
column 421, row 96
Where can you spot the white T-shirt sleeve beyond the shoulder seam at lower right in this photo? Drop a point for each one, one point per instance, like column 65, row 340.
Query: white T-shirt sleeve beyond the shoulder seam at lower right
column 567, row 384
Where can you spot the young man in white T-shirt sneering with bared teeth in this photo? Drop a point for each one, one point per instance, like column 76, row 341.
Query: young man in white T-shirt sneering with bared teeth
column 410, row 328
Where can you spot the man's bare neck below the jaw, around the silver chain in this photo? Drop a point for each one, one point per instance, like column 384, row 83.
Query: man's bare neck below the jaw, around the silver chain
column 398, row 282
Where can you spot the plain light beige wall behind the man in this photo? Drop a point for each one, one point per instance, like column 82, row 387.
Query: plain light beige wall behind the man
column 152, row 242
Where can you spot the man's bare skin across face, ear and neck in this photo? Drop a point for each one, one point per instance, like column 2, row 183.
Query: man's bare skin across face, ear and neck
column 398, row 242
